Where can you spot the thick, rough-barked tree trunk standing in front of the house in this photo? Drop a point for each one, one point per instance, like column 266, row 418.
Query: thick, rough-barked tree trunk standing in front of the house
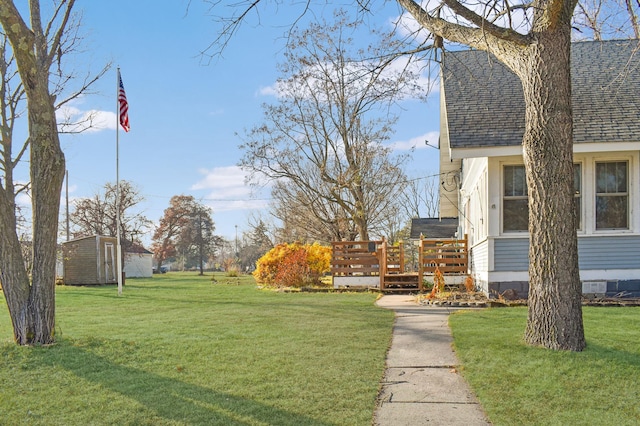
column 555, row 309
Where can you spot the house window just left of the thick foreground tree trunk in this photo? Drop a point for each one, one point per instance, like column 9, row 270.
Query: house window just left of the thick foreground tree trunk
column 515, row 214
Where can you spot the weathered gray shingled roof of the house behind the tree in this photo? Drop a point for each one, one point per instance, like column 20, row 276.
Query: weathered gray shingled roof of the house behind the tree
column 485, row 106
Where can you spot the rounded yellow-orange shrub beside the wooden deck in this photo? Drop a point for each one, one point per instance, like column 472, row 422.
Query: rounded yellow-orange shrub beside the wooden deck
column 293, row 265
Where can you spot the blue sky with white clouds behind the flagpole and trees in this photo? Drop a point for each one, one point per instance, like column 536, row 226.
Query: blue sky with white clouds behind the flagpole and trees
column 185, row 110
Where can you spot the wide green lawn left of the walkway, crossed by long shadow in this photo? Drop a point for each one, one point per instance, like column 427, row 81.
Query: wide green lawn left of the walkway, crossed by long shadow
column 178, row 349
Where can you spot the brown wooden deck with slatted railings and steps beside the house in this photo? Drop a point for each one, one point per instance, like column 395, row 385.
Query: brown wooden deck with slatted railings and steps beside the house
column 378, row 265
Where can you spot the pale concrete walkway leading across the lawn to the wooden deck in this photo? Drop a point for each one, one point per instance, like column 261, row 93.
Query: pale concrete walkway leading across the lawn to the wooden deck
column 421, row 385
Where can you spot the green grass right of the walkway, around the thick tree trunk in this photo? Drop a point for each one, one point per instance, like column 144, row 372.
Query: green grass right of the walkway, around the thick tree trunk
column 524, row 385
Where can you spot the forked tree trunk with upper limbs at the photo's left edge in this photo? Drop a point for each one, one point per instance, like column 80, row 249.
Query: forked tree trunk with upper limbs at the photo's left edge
column 32, row 306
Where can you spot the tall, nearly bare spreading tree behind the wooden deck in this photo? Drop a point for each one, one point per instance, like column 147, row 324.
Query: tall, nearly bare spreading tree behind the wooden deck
column 323, row 140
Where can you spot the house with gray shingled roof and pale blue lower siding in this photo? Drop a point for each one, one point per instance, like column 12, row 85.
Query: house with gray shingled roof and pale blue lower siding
column 483, row 179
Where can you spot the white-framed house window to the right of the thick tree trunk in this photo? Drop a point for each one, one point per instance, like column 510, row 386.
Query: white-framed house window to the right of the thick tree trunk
column 612, row 195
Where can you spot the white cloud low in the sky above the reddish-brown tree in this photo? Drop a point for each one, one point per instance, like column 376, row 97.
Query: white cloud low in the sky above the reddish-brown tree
column 226, row 190
